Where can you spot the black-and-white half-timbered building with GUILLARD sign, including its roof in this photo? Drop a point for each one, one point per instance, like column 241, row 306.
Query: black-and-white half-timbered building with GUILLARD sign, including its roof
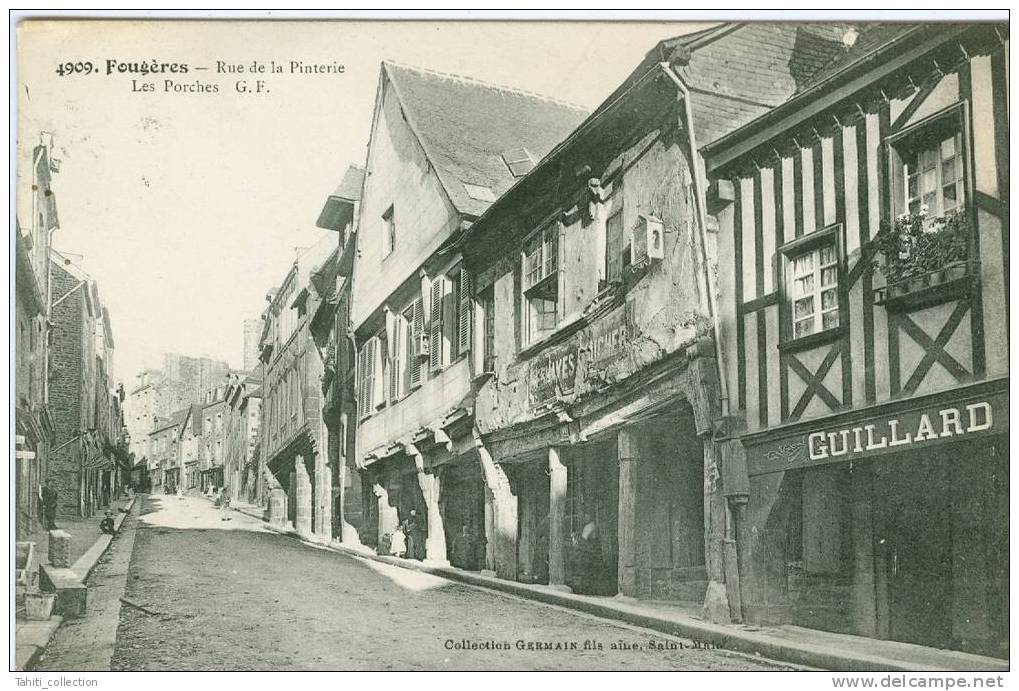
column 865, row 322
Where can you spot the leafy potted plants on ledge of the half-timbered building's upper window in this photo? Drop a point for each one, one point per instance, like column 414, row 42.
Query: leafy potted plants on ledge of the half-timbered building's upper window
column 926, row 258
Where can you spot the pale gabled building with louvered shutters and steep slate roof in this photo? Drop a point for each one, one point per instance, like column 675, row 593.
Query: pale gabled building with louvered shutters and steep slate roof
column 441, row 152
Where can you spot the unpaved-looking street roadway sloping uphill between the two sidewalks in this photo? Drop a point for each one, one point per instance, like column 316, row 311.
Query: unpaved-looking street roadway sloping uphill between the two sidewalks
column 207, row 594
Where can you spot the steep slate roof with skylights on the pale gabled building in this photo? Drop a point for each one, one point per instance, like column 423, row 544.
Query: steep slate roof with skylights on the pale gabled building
column 465, row 126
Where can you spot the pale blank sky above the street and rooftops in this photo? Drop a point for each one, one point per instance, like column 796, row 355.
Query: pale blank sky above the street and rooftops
column 188, row 207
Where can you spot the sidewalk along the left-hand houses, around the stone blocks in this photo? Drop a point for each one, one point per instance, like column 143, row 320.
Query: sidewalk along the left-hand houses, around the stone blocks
column 87, row 547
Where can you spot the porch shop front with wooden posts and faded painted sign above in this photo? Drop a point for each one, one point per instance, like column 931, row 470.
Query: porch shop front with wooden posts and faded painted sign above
column 610, row 488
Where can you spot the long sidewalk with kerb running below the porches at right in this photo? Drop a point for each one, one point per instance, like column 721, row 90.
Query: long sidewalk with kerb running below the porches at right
column 785, row 644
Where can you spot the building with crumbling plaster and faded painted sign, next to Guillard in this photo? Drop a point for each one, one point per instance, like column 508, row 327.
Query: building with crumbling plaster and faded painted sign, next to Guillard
column 597, row 390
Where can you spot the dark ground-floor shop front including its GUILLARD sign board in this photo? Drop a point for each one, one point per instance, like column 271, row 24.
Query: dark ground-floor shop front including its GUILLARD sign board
column 890, row 522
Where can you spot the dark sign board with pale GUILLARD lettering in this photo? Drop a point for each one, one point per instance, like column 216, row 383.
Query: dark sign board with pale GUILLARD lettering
column 909, row 431
